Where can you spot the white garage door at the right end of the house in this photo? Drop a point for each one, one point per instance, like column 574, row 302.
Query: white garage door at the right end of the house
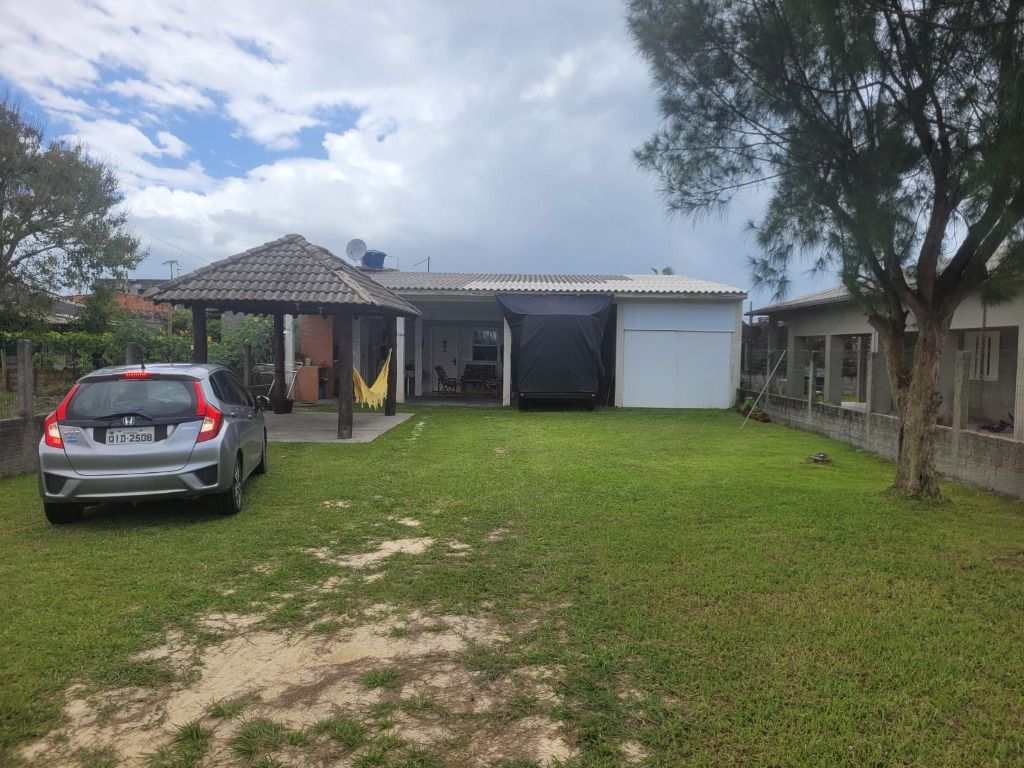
column 676, row 357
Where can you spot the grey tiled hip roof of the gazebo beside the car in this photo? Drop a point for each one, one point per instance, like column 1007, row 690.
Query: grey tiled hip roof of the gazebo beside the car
column 286, row 273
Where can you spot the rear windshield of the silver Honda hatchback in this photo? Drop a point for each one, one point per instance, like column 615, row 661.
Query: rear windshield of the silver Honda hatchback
column 155, row 399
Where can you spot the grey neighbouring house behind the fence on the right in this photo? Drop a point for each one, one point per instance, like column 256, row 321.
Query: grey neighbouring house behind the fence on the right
column 833, row 326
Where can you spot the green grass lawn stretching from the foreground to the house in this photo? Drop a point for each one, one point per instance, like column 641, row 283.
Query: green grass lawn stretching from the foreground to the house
column 703, row 591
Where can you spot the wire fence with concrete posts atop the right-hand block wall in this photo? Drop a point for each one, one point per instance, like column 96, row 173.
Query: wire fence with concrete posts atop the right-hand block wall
column 852, row 377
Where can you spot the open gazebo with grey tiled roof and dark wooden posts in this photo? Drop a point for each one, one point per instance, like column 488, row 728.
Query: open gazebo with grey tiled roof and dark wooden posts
column 290, row 276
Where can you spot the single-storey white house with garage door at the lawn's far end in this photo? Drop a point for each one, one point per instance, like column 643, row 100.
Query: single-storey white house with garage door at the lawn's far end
column 670, row 343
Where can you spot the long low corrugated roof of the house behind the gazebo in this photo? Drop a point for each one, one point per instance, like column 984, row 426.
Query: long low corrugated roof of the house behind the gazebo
column 611, row 284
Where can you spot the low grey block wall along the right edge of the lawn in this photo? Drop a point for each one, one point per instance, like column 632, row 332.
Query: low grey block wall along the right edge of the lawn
column 984, row 460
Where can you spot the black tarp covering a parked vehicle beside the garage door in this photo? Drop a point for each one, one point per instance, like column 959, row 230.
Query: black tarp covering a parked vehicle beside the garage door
column 557, row 343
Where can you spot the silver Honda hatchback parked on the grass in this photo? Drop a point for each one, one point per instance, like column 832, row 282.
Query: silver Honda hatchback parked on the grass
column 134, row 434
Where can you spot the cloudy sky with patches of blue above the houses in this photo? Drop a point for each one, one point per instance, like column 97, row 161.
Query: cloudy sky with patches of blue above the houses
column 488, row 137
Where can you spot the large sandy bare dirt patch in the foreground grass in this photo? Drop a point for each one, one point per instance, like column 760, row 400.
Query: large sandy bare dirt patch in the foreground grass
column 298, row 678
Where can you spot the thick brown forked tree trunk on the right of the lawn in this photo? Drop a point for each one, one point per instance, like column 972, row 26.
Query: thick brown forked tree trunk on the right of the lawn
column 915, row 386
